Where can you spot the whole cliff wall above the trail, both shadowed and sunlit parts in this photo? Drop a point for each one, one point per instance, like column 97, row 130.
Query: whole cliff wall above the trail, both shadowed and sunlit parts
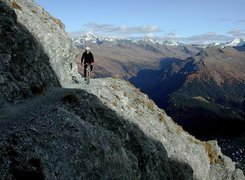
column 35, row 51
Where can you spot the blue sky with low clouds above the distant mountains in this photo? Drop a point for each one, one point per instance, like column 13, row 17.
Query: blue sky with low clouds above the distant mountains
column 184, row 20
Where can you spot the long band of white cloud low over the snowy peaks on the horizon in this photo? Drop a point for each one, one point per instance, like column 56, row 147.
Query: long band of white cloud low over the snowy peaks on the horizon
column 153, row 31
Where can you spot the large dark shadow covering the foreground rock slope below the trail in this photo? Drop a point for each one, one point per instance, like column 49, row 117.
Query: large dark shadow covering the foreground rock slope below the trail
column 74, row 135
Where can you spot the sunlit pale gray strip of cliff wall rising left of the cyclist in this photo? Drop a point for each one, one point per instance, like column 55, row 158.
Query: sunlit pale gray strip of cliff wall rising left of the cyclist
column 50, row 32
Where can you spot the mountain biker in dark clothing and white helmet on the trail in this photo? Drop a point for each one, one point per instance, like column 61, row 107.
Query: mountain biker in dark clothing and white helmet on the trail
column 87, row 57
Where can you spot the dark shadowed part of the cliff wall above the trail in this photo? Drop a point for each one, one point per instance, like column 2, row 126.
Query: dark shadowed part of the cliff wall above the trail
column 24, row 66
